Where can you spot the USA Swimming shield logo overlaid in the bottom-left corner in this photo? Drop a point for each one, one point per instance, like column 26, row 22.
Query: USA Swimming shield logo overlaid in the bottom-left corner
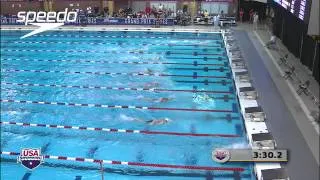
column 30, row 158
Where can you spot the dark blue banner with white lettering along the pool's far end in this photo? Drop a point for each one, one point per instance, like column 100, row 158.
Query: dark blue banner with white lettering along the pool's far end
column 103, row 21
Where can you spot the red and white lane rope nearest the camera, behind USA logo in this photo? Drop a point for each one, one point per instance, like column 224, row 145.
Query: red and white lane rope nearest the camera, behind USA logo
column 80, row 159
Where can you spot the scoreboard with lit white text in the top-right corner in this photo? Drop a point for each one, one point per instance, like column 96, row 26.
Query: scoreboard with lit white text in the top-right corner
column 299, row 8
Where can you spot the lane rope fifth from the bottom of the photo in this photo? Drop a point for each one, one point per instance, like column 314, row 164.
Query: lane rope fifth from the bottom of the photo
column 112, row 73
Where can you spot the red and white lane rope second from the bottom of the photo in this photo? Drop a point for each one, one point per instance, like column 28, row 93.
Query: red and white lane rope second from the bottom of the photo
column 145, row 132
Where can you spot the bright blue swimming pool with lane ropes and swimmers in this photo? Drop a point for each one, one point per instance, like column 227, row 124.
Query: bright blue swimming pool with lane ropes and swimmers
column 71, row 84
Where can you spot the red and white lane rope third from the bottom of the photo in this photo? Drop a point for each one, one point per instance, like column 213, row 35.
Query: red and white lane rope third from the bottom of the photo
column 113, row 106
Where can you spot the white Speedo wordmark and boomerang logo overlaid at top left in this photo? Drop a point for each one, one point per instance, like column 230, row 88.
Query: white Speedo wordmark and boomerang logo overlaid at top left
column 45, row 20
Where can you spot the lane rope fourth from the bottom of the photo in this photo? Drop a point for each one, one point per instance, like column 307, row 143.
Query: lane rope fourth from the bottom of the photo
column 117, row 88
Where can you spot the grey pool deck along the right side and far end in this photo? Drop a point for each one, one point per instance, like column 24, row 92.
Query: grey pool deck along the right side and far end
column 288, row 115
